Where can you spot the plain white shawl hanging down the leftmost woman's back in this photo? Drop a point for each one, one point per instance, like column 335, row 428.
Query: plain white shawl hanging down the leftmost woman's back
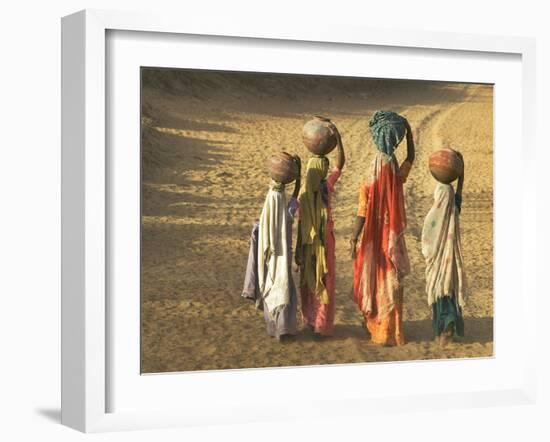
column 273, row 259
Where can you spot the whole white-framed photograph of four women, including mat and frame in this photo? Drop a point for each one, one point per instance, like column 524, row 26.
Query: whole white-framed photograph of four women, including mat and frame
column 253, row 212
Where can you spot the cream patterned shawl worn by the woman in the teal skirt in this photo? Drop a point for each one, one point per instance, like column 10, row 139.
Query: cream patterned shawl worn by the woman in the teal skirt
column 442, row 249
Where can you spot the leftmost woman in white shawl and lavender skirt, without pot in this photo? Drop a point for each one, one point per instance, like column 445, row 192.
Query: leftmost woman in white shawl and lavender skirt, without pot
column 268, row 278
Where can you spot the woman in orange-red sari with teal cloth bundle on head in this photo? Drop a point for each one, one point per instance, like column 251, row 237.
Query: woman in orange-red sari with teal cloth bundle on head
column 381, row 260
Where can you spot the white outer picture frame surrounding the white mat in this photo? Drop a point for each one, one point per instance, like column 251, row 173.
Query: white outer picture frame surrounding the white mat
column 86, row 353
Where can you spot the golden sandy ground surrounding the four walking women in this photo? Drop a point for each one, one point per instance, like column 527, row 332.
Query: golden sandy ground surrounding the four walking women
column 204, row 143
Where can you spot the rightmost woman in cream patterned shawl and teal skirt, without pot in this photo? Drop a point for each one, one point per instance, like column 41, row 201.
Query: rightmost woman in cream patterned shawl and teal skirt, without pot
column 445, row 275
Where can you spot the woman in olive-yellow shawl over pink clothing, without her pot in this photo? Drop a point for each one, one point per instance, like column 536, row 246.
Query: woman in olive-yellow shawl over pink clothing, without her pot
column 315, row 248
